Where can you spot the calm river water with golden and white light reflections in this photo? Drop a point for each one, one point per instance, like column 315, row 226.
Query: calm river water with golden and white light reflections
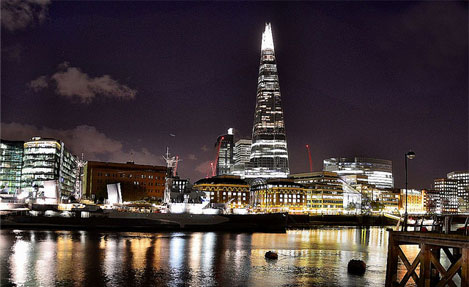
column 315, row 257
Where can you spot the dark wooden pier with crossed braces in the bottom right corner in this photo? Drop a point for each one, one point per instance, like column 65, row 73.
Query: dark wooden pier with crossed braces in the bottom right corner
column 432, row 247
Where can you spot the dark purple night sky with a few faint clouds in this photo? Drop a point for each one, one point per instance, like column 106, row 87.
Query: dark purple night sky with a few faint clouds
column 116, row 80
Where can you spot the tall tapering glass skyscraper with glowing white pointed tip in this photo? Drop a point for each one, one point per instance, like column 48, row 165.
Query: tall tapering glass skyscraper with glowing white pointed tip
column 269, row 155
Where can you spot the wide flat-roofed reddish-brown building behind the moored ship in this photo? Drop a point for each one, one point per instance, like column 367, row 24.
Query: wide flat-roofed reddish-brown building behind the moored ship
column 137, row 181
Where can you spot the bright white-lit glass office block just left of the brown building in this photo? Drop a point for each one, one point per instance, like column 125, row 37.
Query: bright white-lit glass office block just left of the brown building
column 46, row 160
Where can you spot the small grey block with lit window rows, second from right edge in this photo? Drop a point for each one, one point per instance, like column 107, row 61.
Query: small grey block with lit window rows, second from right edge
column 448, row 189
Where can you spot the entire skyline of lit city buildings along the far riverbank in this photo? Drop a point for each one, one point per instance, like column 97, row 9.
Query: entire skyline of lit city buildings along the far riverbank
column 245, row 174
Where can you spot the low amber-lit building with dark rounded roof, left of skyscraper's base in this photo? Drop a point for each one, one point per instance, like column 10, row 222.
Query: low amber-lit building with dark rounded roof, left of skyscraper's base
column 227, row 189
